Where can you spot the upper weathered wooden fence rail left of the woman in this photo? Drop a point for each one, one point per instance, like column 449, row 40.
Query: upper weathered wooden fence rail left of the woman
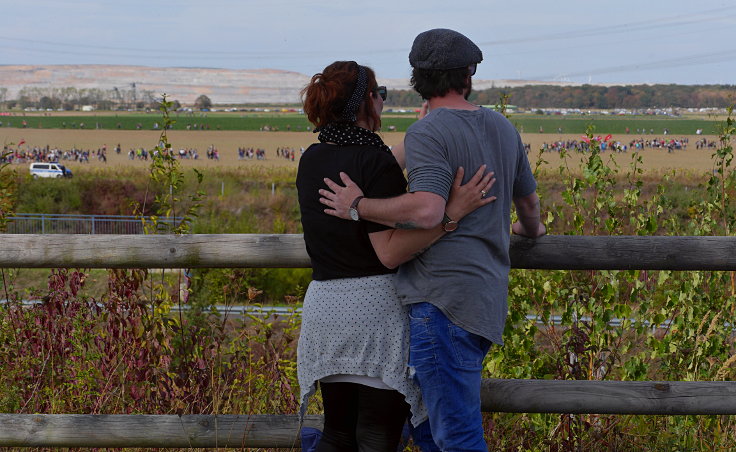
column 152, row 251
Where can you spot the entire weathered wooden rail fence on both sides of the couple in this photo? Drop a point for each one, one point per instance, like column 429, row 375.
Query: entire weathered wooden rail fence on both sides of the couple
column 287, row 250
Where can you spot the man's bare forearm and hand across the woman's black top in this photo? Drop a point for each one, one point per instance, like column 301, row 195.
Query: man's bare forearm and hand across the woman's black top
column 418, row 210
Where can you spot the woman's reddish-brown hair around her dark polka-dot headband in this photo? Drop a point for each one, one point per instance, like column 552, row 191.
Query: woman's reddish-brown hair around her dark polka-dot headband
column 328, row 92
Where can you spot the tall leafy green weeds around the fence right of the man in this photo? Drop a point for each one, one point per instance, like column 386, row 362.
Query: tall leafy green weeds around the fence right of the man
column 673, row 324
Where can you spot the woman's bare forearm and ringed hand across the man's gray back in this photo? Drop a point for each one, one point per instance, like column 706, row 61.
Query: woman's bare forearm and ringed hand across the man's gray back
column 396, row 246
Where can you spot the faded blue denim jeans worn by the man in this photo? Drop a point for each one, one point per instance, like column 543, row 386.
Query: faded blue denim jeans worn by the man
column 448, row 360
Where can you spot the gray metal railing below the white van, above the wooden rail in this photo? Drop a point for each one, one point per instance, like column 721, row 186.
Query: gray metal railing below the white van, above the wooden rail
column 45, row 223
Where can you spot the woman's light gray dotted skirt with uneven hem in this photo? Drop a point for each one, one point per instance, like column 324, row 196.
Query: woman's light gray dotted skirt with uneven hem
column 356, row 326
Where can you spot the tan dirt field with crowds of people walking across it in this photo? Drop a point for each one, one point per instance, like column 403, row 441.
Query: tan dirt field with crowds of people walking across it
column 227, row 143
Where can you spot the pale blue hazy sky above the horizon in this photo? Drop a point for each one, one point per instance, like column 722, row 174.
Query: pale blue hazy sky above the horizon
column 591, row 41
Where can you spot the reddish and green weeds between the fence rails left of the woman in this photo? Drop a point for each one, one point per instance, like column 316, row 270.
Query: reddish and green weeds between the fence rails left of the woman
column 124, row 354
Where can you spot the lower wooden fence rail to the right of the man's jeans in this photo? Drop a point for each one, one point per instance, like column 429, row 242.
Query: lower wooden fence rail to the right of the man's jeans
column 609, row 397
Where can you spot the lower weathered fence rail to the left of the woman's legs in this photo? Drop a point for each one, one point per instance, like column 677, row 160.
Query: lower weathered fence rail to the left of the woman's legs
column 78, row 430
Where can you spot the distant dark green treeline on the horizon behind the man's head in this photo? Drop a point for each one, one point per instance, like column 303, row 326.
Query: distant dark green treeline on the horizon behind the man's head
column 591, row 96
